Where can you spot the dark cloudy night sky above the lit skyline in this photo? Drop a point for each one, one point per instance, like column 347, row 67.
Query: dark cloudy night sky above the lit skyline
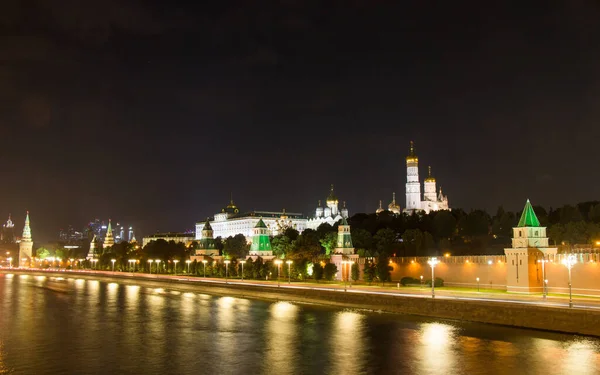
column 152, row 113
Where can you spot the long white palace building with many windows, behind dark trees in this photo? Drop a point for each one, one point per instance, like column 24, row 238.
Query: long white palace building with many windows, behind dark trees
column 230, row 222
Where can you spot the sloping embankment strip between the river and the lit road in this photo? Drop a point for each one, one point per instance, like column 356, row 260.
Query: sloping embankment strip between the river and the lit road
column 512, row 314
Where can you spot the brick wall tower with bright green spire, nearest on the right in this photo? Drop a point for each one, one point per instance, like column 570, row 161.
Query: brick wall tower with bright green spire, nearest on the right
column 529, row 249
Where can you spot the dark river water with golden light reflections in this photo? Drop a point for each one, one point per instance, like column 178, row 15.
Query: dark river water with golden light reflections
column 53, row 325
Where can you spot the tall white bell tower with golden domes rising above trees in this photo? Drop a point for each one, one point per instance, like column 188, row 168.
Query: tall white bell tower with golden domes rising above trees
column 432, row 200
